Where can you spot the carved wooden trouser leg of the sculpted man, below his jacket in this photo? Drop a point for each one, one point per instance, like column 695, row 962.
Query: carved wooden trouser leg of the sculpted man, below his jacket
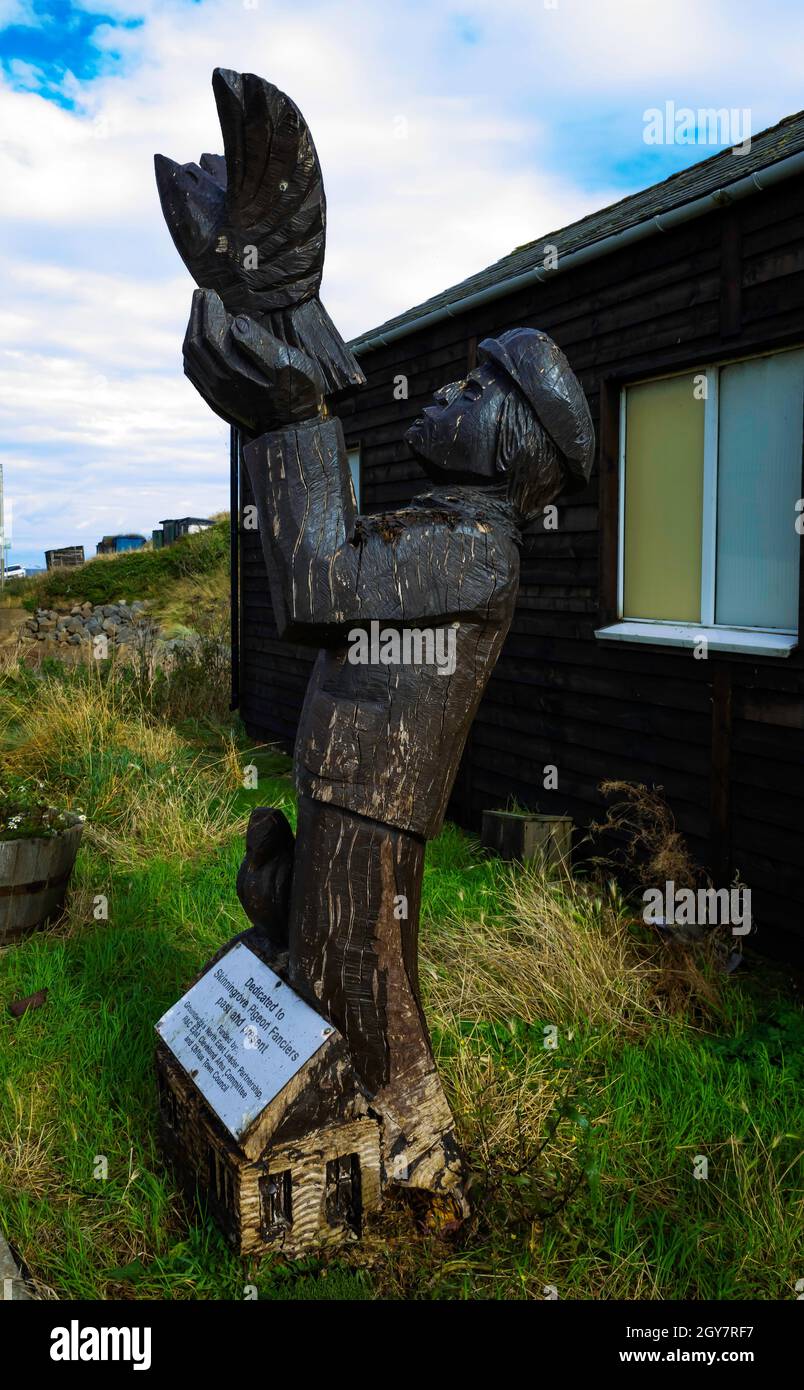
column 354, row 951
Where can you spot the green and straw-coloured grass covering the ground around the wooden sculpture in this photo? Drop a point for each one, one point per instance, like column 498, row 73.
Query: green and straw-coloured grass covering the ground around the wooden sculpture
column 588, row 1067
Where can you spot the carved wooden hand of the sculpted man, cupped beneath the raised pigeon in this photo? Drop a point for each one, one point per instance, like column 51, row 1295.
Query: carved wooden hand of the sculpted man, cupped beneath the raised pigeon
column 244, row 373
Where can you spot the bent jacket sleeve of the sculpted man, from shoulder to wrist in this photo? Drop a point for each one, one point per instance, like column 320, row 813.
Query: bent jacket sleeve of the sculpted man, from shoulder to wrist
column 330, row 569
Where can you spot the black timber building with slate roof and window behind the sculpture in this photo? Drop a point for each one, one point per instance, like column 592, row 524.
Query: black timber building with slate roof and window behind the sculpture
column 682, row 312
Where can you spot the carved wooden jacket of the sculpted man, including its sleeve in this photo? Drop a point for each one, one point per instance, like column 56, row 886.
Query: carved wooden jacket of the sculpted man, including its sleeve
column 382, row 740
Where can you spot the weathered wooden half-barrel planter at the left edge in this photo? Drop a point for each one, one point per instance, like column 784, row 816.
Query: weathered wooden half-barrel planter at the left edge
column 34, row 878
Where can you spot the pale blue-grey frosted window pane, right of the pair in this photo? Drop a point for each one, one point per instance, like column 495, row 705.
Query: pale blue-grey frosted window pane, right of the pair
column 762, row 423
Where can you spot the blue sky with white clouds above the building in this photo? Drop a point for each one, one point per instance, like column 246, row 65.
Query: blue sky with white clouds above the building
column 449, row 136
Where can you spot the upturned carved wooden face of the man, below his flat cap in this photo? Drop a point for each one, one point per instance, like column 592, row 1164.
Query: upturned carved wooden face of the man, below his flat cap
column 458, row 433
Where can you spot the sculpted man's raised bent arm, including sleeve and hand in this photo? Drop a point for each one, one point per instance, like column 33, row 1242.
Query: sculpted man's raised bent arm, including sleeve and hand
column 328, row 568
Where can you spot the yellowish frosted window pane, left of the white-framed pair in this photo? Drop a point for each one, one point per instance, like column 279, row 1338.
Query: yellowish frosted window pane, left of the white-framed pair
column 664, row 483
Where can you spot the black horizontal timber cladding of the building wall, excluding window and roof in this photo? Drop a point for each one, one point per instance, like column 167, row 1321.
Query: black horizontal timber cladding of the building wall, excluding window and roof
column 725, row 737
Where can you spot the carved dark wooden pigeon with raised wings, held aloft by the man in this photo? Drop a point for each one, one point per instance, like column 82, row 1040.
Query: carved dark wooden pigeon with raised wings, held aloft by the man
column 251, row 224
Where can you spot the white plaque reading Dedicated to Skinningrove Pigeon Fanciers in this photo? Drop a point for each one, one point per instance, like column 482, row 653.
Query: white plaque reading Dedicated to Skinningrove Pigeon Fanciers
column 241, row 1033
